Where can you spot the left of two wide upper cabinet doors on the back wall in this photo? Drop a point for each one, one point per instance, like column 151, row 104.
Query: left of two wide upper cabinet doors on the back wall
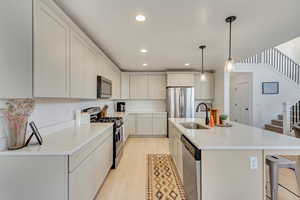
column 138, row 86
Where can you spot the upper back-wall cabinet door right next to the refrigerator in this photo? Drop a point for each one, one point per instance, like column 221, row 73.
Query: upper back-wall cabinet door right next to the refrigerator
column 157, row 86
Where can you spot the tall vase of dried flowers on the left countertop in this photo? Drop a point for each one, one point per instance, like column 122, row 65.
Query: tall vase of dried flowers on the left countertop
column 16, row 116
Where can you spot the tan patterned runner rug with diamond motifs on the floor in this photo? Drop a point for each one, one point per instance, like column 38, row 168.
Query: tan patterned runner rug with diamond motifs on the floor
column 163, row 182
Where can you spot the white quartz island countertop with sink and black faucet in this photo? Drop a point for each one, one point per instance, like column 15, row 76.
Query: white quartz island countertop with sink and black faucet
column 238, row 136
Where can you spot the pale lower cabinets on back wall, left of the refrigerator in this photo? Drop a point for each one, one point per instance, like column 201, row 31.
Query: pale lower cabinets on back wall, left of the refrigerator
column 147, row 124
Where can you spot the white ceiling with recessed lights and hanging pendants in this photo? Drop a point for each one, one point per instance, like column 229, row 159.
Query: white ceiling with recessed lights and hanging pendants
column 175, row 28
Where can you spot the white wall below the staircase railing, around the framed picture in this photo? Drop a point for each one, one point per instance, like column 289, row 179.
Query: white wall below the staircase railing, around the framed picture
column 267, row 107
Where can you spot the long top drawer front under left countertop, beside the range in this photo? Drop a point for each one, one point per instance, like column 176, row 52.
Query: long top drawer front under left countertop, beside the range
column 79, row 156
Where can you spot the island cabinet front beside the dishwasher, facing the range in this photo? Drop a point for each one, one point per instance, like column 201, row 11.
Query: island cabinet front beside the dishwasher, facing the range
column 176, row 148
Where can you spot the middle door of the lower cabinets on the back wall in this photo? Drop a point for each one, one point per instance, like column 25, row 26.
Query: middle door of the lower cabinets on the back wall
column 144, row 124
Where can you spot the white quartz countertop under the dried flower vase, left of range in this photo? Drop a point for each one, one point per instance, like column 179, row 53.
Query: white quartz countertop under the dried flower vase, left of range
column 64, row 142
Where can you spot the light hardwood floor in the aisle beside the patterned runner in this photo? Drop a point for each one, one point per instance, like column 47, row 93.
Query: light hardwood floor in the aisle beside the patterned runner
column 128, row 181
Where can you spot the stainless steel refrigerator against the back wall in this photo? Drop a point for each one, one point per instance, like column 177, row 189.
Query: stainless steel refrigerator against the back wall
column 180, row 102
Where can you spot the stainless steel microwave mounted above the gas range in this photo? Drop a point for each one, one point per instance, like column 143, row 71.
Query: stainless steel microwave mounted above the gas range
column 104, row 88
